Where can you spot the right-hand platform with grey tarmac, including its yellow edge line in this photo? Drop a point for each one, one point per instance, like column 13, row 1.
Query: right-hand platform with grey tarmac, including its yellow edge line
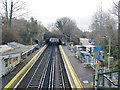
column 83, row 74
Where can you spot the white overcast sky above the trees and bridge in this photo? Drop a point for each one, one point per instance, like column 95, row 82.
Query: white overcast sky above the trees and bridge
column 47, row 11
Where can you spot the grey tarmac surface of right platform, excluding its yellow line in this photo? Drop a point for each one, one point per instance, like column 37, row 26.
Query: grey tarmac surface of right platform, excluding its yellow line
column 84, row 73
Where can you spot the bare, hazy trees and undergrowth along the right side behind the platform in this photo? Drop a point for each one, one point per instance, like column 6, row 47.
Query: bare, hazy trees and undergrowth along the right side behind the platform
column 106, row 26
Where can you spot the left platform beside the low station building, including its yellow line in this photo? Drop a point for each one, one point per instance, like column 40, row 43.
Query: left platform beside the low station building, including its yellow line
column 23, row 65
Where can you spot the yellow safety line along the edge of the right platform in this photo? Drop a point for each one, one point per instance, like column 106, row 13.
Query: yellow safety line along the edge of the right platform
column 75, row 78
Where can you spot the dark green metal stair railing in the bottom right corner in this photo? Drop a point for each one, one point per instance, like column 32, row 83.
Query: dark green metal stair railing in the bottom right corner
column 108, row 80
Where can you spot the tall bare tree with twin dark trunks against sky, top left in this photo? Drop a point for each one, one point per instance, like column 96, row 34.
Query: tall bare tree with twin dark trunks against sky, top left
column 12, row 9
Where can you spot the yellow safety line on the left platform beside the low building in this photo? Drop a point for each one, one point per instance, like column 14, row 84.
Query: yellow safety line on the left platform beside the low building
column 18, row 74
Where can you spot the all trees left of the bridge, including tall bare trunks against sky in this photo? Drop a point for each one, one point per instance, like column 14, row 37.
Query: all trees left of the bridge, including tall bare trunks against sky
column 15, row 27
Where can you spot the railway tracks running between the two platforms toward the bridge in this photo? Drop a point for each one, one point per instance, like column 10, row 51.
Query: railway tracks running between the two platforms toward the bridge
column 47, row 72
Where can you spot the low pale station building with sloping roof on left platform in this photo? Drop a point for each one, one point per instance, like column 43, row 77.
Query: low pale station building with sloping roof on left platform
column 12, row 54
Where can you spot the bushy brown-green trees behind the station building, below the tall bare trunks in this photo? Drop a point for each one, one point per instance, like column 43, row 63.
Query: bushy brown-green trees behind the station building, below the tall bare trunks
column 23, row 31
